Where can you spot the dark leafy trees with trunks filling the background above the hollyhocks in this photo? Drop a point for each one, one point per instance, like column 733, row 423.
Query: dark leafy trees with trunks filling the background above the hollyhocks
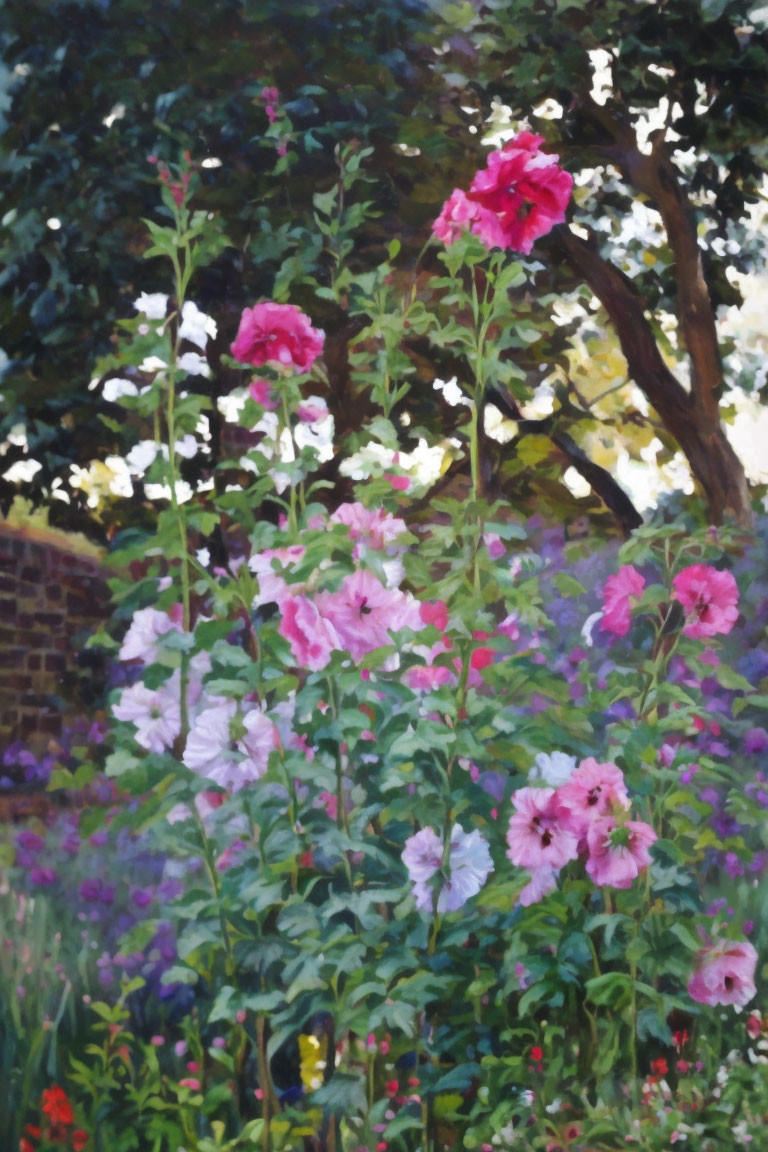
column 655, row 108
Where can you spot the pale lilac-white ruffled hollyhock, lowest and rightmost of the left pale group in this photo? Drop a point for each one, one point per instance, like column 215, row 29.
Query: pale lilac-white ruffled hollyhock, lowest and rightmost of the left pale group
column 229, row 747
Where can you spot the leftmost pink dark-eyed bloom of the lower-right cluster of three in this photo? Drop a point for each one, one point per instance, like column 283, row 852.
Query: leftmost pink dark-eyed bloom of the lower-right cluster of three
column 537, row 836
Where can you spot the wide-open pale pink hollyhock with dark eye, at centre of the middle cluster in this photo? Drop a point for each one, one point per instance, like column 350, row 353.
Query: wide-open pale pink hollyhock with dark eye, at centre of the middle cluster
column 364, row 613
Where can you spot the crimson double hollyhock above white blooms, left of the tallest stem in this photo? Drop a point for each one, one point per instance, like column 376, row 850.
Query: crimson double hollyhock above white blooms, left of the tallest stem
column 277, row 335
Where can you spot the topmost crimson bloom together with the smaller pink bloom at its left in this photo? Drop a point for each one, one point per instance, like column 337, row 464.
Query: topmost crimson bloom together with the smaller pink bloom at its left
column 519, row 198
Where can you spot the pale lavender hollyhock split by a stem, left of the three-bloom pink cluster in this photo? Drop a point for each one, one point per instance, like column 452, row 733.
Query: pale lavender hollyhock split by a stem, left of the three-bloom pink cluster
column 468, row 867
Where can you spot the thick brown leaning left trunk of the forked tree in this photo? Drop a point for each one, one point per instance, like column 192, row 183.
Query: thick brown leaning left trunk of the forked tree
column 693, row 419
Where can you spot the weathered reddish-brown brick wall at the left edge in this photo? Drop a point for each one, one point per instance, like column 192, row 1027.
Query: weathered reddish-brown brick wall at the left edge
column 52, row 597
